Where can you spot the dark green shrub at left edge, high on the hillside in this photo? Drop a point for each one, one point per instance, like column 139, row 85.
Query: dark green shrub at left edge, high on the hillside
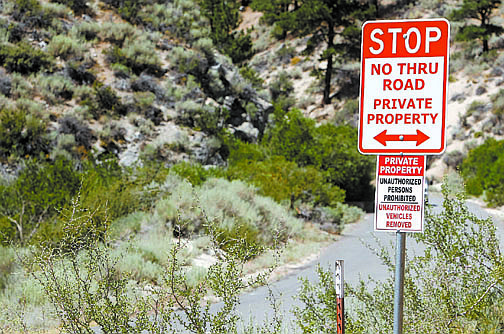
column 23, row 58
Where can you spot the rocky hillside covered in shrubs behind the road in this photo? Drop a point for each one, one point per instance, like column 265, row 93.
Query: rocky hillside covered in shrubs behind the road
column 172, row 133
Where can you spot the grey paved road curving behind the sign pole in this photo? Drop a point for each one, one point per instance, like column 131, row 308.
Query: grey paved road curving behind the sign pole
column 360, row 262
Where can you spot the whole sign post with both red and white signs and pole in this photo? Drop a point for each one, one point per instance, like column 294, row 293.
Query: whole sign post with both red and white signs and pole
column 404, row 79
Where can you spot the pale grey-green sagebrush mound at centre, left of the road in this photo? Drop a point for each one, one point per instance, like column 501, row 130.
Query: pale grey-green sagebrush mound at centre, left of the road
column 240, row 211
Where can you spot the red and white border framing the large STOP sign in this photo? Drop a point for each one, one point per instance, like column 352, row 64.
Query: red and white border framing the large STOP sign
column 445, row 93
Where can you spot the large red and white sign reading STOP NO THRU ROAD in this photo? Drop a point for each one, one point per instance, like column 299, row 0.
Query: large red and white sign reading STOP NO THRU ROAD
column 404, row 72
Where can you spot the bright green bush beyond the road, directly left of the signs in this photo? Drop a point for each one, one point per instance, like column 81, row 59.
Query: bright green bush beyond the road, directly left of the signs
column 327, row 147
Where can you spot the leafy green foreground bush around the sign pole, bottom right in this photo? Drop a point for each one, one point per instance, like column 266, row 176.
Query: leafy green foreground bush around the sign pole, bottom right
column 453, row 287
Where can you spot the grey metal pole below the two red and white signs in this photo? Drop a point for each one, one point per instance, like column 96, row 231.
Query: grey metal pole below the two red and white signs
column 399, row 282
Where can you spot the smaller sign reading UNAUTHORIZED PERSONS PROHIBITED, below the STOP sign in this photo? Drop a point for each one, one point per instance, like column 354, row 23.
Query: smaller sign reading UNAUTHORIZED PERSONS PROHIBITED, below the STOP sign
column 399, row 198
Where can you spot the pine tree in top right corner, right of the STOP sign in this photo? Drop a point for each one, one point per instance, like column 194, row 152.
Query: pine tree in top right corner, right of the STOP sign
column 482, row 11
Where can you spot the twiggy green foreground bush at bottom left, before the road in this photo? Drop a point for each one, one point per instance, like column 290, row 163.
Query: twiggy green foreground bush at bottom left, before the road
column 82, row 280
